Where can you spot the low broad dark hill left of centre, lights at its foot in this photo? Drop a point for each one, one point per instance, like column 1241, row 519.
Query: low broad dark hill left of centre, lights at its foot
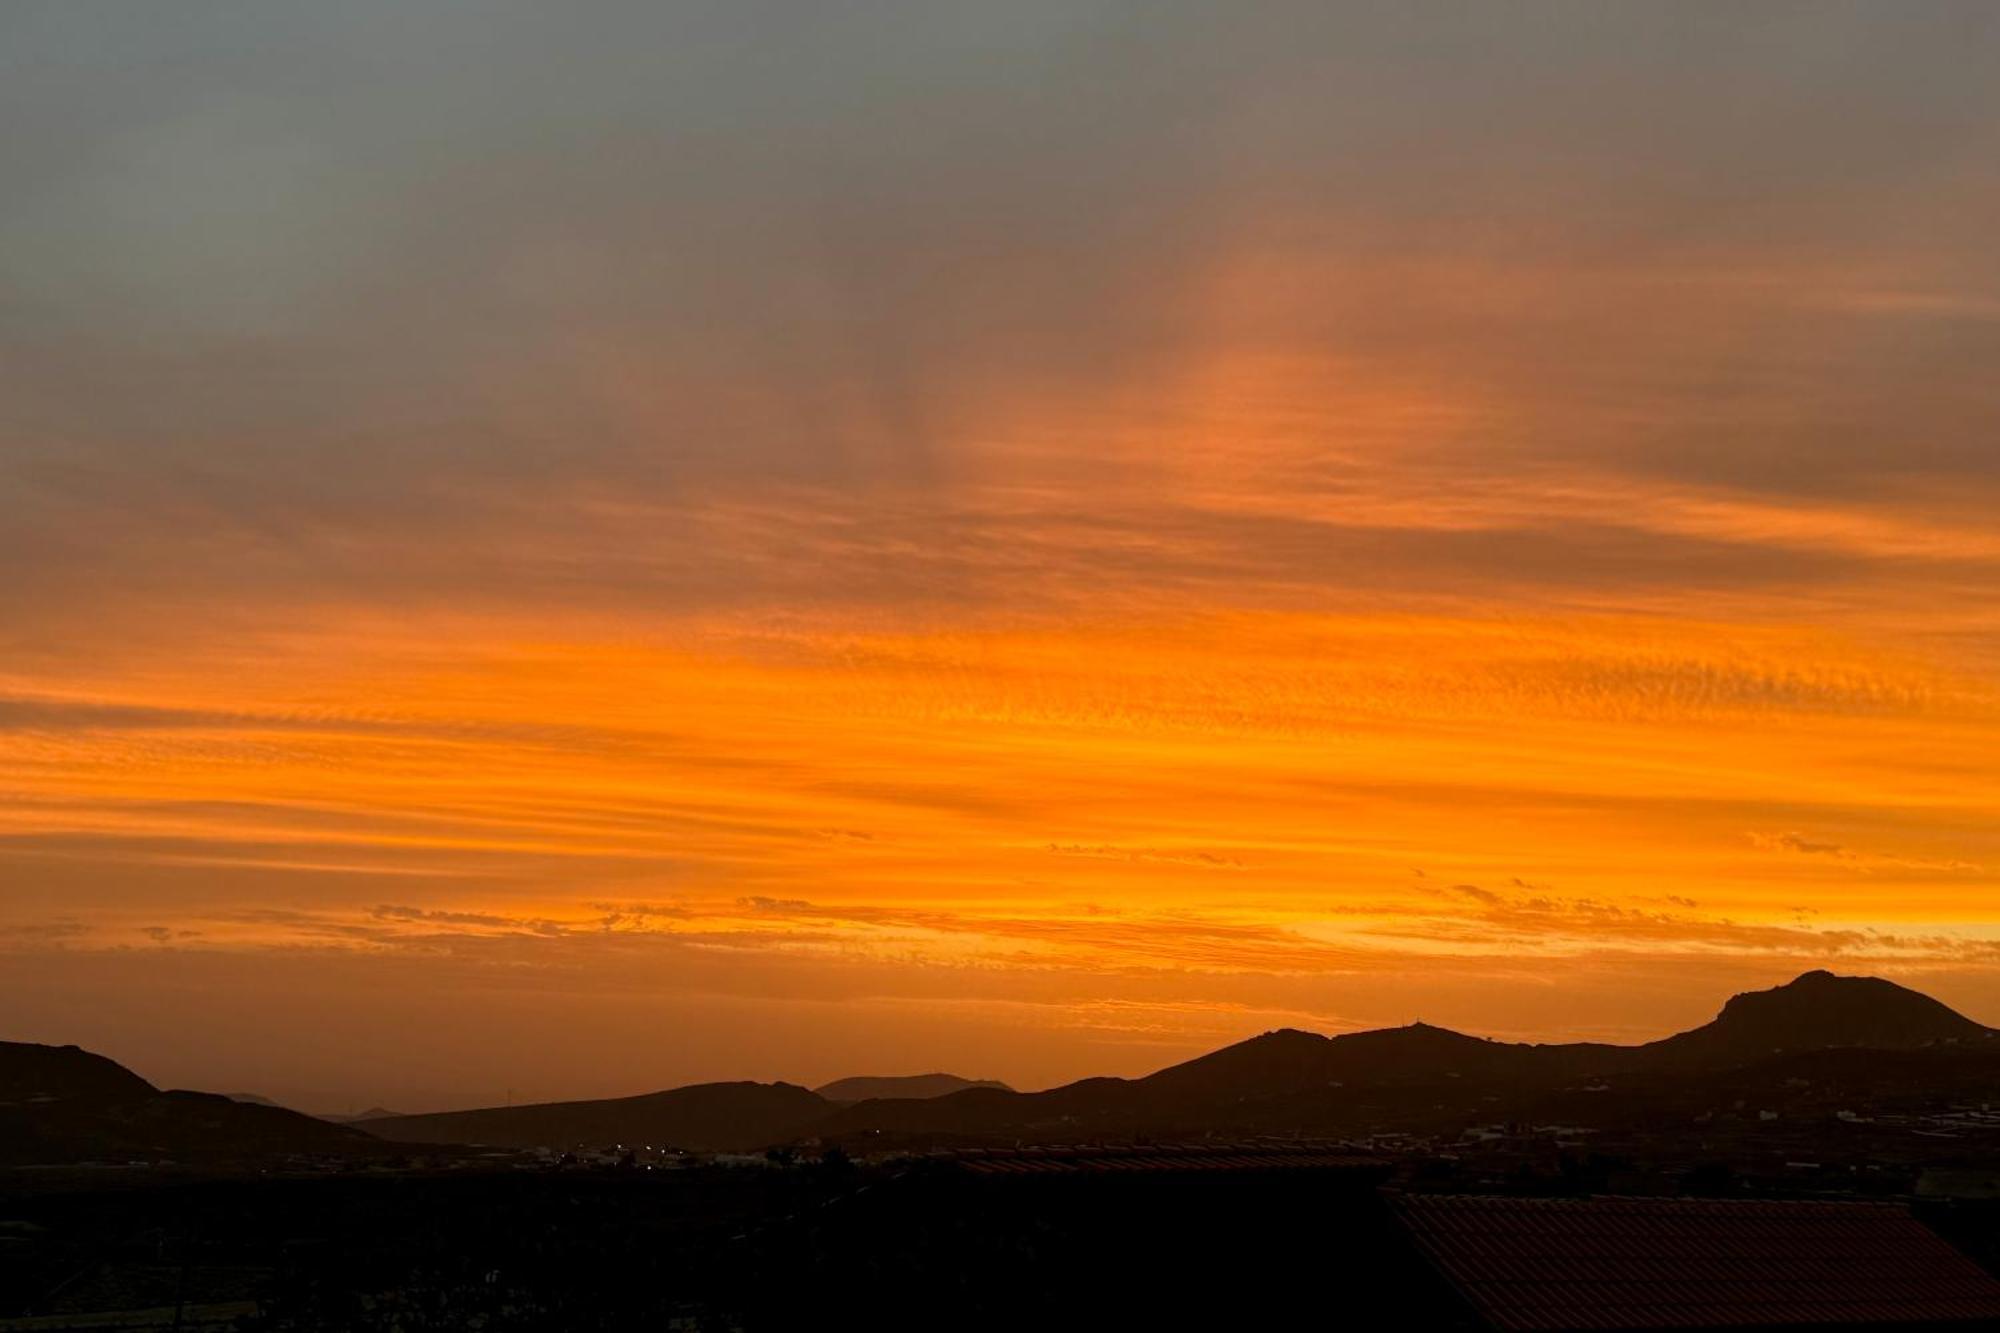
column 705, row 1118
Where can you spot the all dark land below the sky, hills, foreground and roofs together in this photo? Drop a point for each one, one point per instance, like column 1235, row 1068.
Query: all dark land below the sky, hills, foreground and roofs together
column 1835, row 1126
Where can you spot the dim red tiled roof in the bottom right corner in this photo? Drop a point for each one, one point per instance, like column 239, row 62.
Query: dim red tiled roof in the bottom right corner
column 1695, row 1264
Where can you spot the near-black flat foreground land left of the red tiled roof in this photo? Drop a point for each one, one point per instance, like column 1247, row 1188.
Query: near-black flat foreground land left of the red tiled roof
column 757, row 1248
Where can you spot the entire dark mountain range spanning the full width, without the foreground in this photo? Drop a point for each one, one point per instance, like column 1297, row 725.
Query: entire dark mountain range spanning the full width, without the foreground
column 1819, row 1042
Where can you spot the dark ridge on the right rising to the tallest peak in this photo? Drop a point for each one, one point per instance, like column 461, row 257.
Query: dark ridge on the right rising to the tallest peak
column 1421, row 1078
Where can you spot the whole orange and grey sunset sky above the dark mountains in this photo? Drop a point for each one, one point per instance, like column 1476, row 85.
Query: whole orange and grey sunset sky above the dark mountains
column 561, row 551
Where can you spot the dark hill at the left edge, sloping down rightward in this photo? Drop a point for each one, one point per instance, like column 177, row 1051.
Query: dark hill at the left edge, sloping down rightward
column 67, row 1106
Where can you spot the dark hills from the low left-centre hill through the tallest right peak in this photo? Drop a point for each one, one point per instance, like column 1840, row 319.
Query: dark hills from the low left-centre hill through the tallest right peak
column 1293, row 1082
